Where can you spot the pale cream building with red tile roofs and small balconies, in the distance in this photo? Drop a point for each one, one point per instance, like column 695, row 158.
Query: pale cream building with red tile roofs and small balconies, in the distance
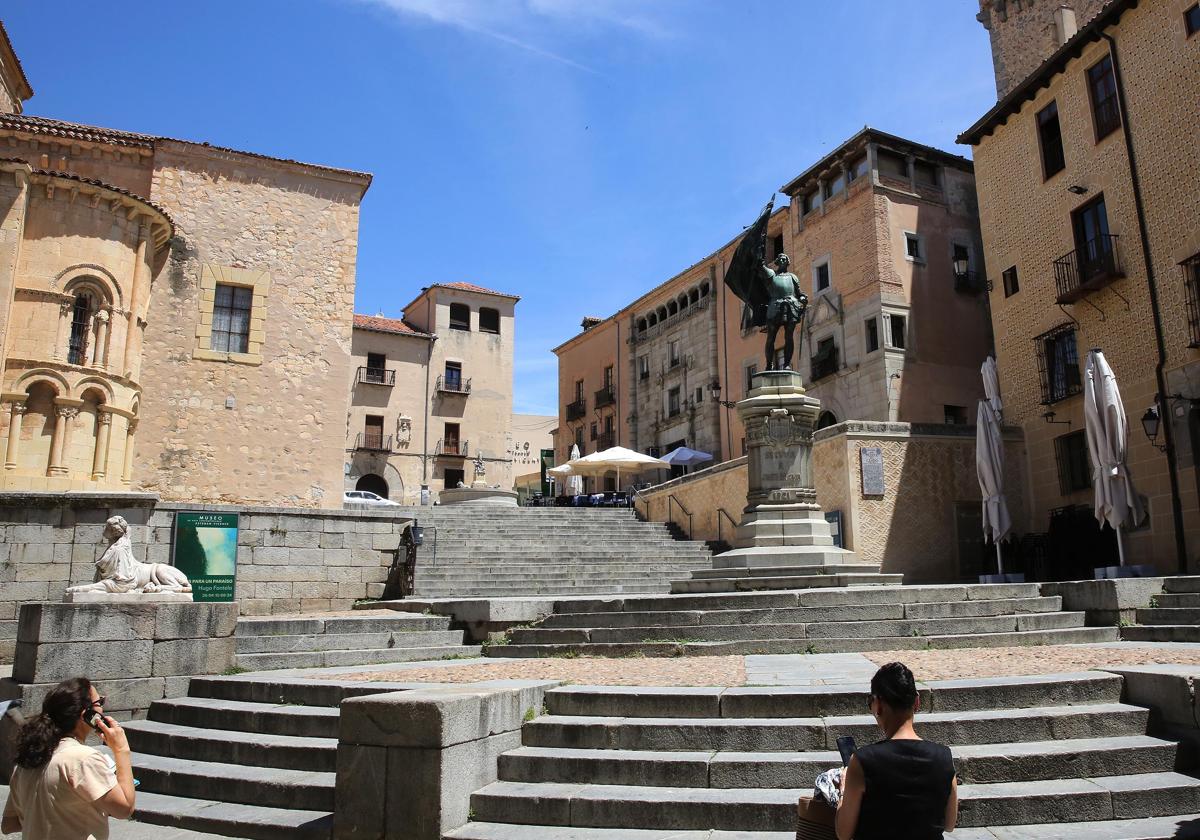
column 431, row 392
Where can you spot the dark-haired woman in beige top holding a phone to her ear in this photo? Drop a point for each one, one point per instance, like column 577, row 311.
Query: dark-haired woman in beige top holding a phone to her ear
column 62, row 789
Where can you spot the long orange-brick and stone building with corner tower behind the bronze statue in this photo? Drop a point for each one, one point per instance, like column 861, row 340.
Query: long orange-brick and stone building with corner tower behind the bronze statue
column 893, row 334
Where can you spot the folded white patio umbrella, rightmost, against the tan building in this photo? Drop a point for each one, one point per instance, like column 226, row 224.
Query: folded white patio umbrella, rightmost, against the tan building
column 1118, row 502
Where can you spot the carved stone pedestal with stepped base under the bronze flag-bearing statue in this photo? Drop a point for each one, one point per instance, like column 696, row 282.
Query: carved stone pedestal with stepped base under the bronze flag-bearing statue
column 784, row 541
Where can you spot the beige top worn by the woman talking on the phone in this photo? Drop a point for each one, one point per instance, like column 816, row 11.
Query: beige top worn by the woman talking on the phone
column 57, row 802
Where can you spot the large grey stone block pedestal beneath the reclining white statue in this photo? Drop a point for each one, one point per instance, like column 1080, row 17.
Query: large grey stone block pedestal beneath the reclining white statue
column 134, row 652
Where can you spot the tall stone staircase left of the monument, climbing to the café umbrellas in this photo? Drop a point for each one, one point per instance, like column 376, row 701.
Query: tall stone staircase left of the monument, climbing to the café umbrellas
column 499, row 553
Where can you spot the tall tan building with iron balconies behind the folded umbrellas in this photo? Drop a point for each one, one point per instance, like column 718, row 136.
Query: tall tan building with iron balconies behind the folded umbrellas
column 1090, row 200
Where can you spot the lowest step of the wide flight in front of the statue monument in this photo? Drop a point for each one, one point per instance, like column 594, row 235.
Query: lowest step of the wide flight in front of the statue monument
column 686, row 647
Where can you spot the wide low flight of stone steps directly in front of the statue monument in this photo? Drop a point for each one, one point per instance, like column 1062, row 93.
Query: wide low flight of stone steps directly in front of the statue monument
column 813, row 621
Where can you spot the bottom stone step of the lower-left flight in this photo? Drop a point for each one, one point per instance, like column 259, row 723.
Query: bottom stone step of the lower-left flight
column 255, row 823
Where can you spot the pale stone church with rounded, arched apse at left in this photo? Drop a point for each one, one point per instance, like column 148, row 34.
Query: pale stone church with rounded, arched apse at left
column 175, row 317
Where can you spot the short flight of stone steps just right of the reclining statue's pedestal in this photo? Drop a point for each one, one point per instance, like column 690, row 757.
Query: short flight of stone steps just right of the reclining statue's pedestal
column 327, row 641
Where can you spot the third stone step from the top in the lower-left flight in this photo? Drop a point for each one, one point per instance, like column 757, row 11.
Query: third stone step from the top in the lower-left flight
column 191, row 743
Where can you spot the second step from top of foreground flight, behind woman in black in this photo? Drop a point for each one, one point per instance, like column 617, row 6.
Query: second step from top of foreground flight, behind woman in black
column 767, row 735
